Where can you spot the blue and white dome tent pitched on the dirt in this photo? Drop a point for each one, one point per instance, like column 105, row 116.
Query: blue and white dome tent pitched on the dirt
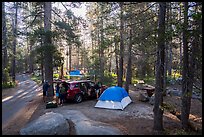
column 114, row 97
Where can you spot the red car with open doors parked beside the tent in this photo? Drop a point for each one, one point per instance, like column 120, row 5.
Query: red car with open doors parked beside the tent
column 79, row 90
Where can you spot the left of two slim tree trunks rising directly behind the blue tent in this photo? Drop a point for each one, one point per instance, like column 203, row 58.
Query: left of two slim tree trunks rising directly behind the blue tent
column 120, row 73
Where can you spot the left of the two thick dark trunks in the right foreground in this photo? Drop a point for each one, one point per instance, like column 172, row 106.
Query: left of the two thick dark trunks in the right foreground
column 158, row 110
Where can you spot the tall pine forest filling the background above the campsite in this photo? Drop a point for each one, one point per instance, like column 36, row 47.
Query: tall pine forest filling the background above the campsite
column 123, row 39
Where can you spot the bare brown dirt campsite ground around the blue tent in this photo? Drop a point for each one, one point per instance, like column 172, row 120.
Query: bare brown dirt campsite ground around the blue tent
column 135, row 119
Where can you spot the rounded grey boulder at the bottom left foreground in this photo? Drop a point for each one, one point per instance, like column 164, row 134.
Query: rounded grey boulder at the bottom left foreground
column 47, row 124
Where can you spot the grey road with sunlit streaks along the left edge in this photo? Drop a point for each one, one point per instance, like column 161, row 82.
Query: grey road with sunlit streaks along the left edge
column 15, row 100
